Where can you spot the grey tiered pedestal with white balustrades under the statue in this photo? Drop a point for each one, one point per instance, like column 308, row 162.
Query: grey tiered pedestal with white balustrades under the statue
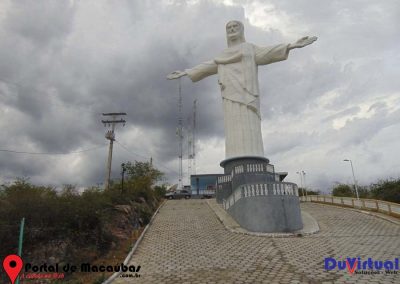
column 254, row 196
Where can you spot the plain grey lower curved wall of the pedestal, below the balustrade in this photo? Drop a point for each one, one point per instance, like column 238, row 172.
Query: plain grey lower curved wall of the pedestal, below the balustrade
column 268, row 214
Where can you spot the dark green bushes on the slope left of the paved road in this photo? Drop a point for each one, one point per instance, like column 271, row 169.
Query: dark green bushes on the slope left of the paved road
column 82, row 221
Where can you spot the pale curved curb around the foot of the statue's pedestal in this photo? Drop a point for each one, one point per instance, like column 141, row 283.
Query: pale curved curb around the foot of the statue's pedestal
column 239, row 230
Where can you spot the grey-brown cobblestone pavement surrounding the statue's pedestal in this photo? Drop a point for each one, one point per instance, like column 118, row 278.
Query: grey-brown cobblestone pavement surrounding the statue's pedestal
column 187, row 244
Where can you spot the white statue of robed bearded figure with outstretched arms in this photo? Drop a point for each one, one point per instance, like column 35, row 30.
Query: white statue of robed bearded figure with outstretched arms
column 237, row 76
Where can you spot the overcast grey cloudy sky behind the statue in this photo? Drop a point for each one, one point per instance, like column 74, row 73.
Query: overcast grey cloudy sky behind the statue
column 64, row 63
